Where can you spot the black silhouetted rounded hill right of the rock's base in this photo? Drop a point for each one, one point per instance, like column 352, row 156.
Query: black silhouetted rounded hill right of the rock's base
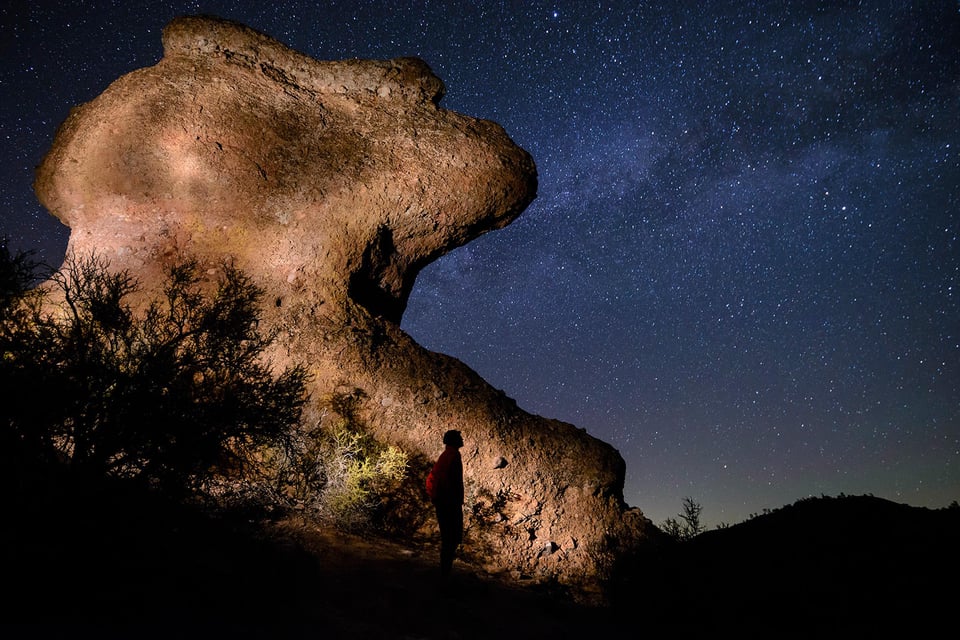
column 851, row 562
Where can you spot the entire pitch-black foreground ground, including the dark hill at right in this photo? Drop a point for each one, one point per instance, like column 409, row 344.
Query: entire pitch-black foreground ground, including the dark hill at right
column 110, row 567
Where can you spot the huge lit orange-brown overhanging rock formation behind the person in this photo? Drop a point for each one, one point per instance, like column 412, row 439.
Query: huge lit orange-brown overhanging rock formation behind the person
column 332, row 184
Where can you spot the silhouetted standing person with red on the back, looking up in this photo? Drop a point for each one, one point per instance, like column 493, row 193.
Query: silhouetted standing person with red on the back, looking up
column 445, row 488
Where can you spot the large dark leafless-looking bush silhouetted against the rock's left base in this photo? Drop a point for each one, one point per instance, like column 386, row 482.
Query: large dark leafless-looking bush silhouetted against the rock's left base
column 163, row 396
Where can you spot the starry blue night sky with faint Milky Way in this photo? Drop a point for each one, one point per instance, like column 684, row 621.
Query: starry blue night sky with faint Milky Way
column 742, row 268
